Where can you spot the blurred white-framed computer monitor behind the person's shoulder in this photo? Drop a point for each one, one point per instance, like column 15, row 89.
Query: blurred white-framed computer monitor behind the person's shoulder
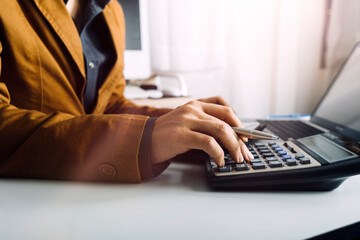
column 137, row 52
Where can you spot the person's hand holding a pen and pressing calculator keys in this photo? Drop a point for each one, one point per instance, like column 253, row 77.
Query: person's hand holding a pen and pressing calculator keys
column 203, row 125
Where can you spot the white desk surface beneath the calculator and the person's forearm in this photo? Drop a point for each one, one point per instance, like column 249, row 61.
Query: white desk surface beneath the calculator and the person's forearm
column 176, row 205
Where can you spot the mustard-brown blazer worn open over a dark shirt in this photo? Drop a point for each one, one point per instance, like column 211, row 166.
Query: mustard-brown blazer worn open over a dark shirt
column 44, row 131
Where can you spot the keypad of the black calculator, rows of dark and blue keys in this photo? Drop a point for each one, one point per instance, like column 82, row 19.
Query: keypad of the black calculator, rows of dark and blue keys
column 268, row 157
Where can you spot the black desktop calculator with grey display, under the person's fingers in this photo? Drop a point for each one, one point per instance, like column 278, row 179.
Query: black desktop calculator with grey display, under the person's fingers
column 293, row 165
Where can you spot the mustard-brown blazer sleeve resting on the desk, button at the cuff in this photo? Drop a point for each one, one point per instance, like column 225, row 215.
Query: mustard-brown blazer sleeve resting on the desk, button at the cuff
column 99, row 147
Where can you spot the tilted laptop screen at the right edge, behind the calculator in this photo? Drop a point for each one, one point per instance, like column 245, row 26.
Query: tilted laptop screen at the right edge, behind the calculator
column 339, row 109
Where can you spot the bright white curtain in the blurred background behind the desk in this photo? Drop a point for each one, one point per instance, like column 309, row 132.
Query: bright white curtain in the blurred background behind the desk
column 262, row 56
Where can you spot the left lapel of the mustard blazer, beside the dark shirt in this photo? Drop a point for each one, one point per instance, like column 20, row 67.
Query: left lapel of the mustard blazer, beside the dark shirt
column 59, row 18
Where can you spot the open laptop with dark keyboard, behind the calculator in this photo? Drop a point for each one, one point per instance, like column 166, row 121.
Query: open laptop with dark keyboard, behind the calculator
column 338, row 111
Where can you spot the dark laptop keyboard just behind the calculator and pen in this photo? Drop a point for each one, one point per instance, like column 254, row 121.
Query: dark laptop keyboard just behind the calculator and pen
column 290, row 129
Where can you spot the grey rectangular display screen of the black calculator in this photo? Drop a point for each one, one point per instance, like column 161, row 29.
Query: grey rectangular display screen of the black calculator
column 328, row 150
